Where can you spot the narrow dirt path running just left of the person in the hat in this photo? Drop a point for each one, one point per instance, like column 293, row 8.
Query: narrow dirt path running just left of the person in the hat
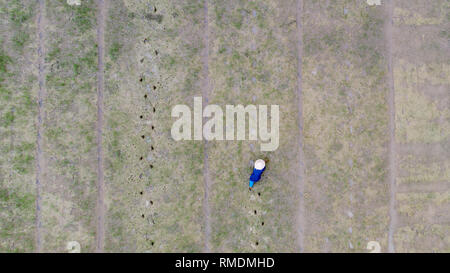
column 205, row 92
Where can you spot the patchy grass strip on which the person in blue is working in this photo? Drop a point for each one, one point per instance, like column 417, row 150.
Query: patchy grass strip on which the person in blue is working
column 244, row 73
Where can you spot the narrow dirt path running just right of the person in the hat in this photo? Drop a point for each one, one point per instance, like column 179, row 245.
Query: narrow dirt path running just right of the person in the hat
column 301, row 167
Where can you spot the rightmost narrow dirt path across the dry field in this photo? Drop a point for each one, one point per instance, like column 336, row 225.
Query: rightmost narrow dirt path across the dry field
column 392, row 146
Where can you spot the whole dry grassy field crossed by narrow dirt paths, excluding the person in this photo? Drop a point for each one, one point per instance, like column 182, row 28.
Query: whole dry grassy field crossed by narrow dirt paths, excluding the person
column 86, row 152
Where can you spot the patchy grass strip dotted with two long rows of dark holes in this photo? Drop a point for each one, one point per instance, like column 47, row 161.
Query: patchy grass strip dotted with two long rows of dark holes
column 155, row 187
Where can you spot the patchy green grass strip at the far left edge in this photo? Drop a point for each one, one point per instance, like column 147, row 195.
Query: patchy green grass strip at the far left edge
column 17, row 132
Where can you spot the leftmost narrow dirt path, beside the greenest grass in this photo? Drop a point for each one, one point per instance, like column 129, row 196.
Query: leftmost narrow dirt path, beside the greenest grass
column 41, row 94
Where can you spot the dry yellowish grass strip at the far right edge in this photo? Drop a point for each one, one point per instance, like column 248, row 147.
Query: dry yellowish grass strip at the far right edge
column 421, row 79
